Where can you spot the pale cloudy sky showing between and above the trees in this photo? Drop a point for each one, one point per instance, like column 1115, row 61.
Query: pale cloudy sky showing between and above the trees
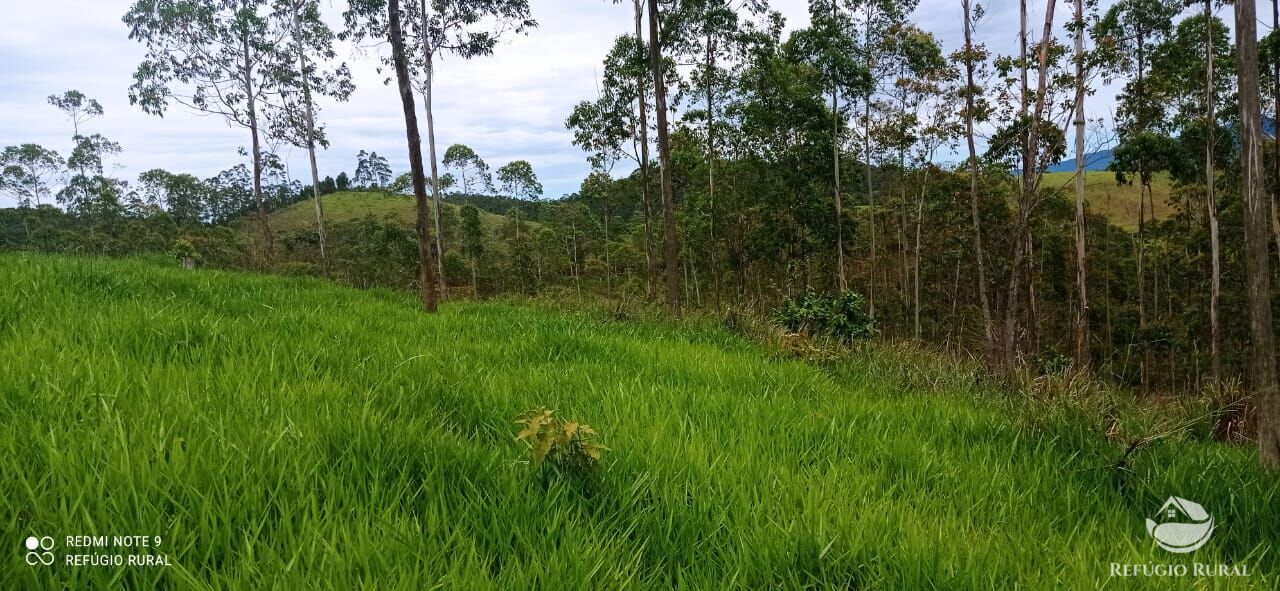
column 508, row 107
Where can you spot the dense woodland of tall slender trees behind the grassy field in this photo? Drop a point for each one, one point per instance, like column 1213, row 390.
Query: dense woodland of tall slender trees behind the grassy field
column 739, row 164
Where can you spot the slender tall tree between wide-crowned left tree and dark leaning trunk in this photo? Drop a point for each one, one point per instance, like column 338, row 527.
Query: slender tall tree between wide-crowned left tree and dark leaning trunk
column 304, row 72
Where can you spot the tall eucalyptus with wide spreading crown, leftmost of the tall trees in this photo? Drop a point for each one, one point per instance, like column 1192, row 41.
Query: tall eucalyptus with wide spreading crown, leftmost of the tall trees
column 212, row 57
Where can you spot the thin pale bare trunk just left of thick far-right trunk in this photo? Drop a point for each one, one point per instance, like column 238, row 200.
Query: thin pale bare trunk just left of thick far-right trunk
column 1212, row 201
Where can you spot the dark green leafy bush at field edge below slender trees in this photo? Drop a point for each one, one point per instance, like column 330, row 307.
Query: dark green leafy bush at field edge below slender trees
column 843, row 318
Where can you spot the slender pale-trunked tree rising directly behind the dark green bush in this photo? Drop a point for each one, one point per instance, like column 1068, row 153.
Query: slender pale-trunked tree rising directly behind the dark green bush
column 830, row 48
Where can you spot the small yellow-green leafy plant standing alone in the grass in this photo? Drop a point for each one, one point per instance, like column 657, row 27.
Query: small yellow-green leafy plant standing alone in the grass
column 569, row 446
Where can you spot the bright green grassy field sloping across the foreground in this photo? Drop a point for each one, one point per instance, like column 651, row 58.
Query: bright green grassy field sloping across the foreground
column 291, row 434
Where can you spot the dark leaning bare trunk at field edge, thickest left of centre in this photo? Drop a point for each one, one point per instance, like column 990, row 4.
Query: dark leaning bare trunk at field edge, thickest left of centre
column 427, row 272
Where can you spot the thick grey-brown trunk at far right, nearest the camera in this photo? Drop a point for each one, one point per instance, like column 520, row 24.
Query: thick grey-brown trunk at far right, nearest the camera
column 1256, row 241
